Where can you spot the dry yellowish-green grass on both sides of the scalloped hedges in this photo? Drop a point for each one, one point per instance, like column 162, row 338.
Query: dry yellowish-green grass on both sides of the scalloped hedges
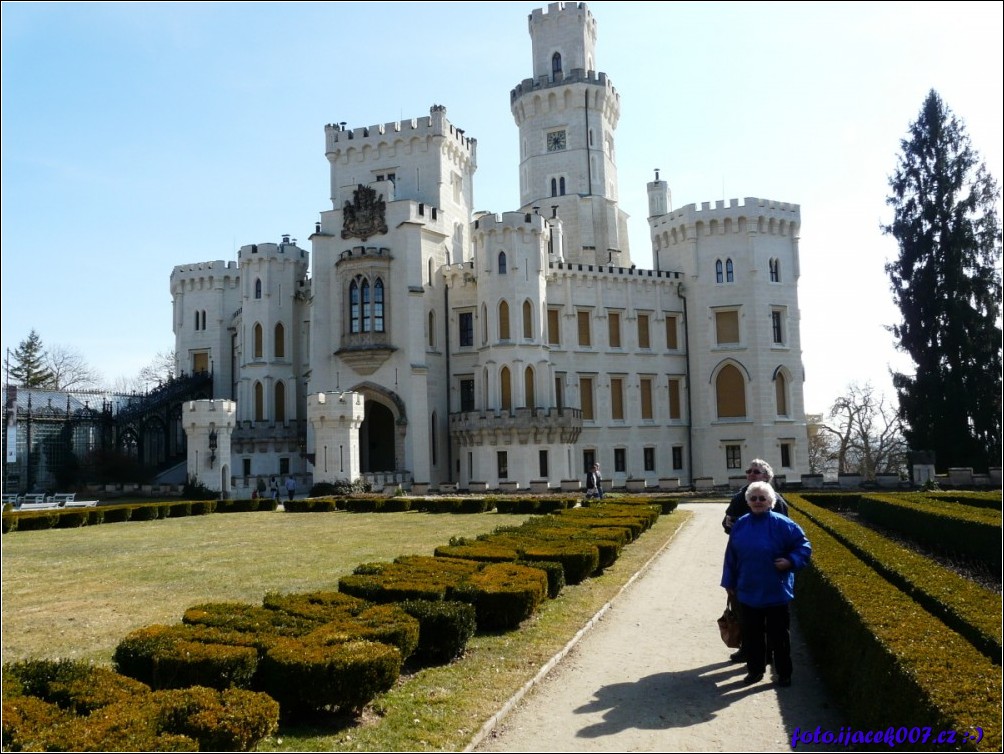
column 77, row 593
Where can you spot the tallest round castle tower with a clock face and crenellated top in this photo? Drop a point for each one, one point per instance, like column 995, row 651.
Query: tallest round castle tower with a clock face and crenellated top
column 568, row 115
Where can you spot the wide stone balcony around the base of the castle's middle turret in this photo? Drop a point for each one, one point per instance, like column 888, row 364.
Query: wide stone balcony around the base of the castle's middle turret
column 537, row 426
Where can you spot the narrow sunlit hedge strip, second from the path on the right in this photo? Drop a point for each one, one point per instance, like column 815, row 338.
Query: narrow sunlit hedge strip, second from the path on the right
column 971, row 610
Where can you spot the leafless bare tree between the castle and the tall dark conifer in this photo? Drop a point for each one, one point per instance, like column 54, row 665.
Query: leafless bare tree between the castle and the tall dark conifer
column 868, row 433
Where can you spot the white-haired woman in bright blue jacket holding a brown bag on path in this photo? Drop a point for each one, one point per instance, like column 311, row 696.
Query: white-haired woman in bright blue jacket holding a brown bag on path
column 766, row 549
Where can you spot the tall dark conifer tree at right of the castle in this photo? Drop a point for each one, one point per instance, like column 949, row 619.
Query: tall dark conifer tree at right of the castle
column 947, row 284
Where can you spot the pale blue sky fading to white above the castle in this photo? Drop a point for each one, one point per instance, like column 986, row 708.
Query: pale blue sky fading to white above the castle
column 141, row 136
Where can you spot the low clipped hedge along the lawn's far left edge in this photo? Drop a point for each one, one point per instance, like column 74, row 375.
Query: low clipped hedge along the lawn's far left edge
column 68, row 519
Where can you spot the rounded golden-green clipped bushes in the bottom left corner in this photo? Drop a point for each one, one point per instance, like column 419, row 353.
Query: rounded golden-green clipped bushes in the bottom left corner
column 73, row 706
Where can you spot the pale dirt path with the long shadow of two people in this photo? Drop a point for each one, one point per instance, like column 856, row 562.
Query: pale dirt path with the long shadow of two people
column 654, row 675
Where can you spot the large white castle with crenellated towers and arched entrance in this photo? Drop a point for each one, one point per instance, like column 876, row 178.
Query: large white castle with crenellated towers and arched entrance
column 431, row 345
